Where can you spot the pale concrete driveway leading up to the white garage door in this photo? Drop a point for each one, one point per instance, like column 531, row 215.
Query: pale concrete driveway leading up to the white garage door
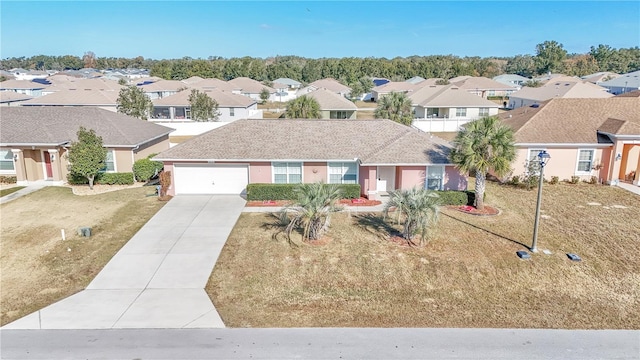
column 157, row 279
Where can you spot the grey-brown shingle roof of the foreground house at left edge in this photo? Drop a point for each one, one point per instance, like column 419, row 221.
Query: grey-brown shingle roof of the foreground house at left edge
column 58, row 125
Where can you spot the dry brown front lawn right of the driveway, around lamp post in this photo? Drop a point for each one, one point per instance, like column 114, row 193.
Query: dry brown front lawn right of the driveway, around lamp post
column 468, row 275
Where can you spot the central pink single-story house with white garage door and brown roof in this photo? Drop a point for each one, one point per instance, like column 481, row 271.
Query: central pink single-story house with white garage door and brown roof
column 380, row 155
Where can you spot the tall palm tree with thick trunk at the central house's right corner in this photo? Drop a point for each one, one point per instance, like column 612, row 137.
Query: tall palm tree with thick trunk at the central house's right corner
column 481, row 146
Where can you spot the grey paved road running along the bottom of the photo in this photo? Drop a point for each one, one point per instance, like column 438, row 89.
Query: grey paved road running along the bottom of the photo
column 320, row 344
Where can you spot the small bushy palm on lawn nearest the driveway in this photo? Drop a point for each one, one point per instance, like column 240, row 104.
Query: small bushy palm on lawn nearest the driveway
column 312, row 211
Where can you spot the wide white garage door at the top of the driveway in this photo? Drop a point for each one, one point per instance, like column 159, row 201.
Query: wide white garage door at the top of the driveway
column 210, row 178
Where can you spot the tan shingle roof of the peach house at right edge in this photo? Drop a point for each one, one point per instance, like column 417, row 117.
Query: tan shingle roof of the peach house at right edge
column 574, row 121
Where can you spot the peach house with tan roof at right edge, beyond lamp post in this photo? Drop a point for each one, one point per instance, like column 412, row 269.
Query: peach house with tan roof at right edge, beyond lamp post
column 585, row 138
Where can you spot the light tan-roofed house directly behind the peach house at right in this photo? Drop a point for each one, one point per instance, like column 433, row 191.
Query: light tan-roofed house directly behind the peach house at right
column 573, row 89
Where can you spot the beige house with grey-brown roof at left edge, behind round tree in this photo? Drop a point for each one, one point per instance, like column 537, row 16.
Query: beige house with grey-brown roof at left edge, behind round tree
column 34, row 141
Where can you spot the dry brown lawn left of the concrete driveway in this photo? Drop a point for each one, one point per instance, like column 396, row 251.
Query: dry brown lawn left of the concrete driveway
column 37, row 267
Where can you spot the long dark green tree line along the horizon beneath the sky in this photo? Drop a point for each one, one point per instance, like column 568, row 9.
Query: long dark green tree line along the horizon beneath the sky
column 550, row 56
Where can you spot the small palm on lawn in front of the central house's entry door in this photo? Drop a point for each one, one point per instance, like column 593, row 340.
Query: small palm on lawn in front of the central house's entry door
column 418, row 207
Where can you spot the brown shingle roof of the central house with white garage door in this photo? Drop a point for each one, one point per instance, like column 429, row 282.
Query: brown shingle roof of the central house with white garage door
column 371, row 141
